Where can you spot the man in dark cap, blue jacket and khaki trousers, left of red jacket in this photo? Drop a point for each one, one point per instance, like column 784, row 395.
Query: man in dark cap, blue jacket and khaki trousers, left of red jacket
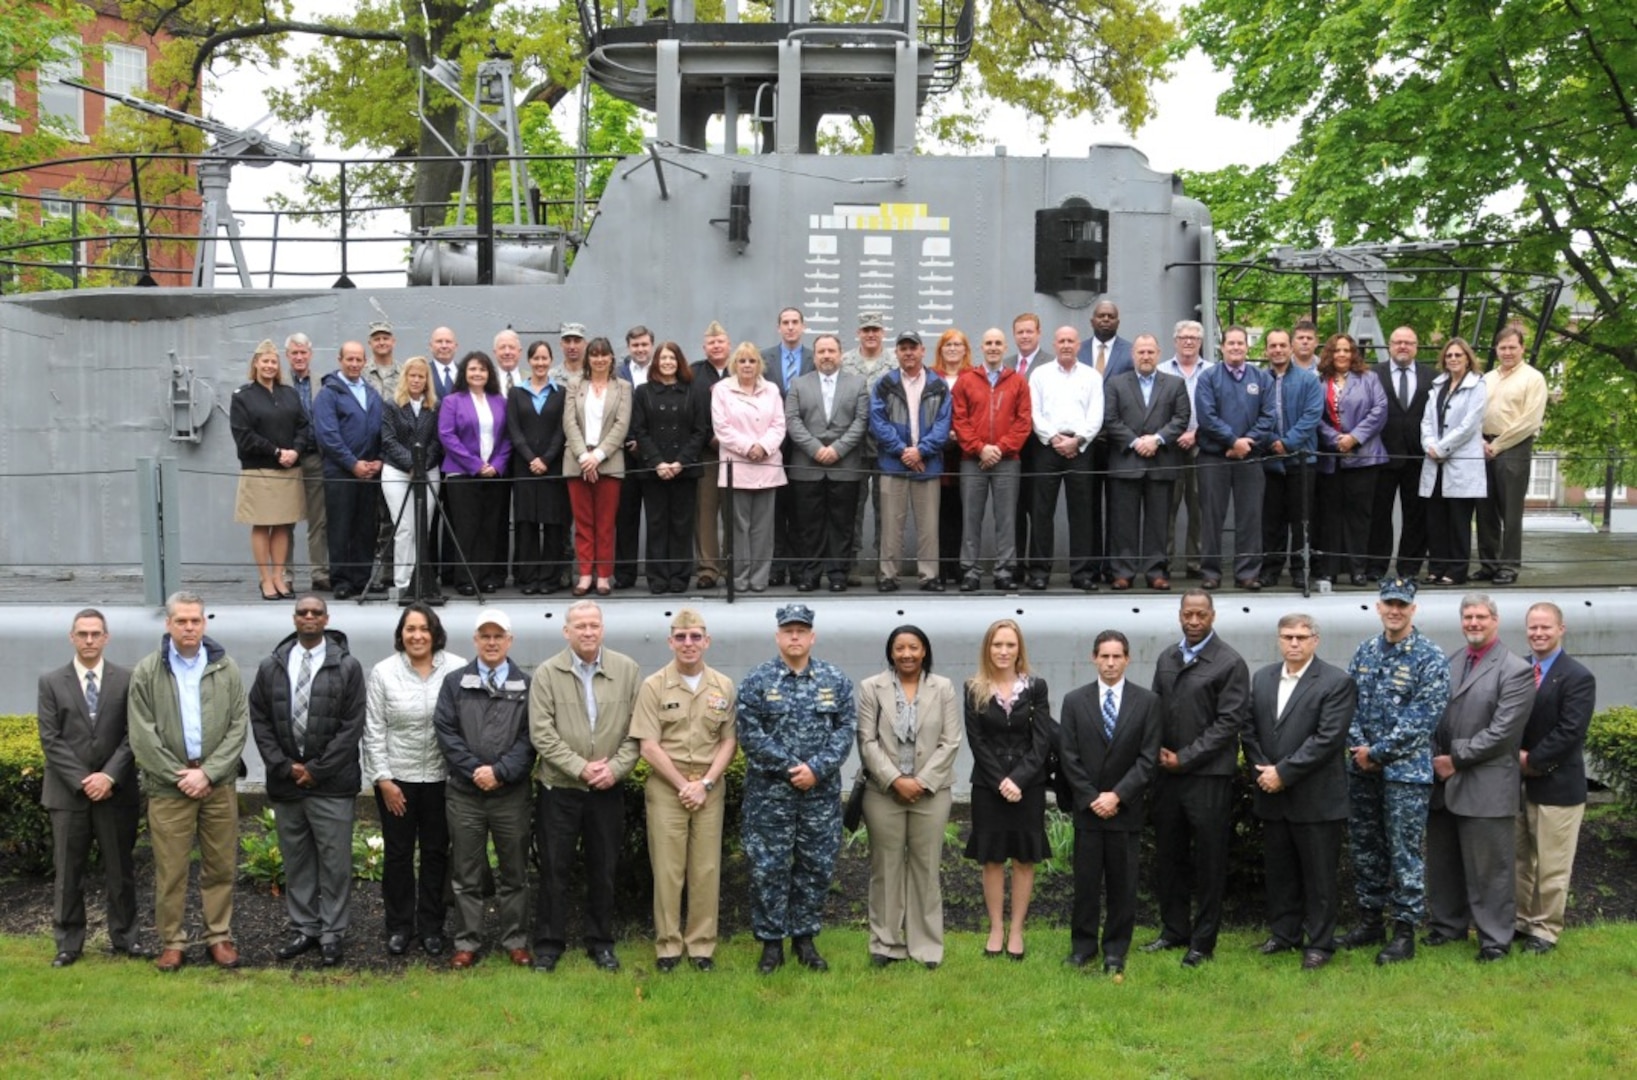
column 911, row 413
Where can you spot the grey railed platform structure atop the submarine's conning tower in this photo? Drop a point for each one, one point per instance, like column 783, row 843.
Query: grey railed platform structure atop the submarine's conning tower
column 785, row 76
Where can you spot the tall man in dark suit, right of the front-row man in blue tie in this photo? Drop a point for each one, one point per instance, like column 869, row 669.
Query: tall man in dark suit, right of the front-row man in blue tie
column 1206, row 690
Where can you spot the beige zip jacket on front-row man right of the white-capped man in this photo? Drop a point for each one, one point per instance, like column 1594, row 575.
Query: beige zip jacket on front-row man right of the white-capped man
column 559, row 724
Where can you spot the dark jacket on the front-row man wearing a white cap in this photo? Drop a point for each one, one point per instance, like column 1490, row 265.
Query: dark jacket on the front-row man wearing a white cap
column 479, row 727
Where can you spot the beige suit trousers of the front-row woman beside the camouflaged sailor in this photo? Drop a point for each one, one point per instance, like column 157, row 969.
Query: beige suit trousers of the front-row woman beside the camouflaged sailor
column 906, row 901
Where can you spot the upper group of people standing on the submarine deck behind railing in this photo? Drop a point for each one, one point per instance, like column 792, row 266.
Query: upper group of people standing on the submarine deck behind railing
column 782, row 448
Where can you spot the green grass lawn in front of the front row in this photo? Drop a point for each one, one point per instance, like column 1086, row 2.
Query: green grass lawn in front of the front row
column 1443, row 1015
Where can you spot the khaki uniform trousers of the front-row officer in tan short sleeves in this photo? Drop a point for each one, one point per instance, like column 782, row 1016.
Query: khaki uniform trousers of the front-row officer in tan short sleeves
column 685, row 848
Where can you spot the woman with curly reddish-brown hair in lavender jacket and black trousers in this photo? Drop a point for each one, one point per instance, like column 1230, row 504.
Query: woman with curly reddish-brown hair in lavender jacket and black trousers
column 1351, row 457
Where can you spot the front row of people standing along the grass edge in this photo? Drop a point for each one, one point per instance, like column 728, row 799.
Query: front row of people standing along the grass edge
column 1476, row 757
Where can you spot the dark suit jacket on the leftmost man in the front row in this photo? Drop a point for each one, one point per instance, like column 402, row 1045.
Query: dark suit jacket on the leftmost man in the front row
column 74, row 747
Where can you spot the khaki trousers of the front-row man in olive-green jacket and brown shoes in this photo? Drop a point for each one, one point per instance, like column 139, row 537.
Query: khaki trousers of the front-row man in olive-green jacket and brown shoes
column 173, row 826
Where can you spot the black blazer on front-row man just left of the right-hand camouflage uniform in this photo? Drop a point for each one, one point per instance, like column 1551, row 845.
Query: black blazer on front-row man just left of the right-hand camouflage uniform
column 1307, row 744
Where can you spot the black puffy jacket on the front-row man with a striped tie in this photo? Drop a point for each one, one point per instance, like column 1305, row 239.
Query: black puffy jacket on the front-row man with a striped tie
column 335, row 722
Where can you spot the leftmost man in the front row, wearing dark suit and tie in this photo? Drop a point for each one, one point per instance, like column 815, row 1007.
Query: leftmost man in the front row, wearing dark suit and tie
column 89, row 790
